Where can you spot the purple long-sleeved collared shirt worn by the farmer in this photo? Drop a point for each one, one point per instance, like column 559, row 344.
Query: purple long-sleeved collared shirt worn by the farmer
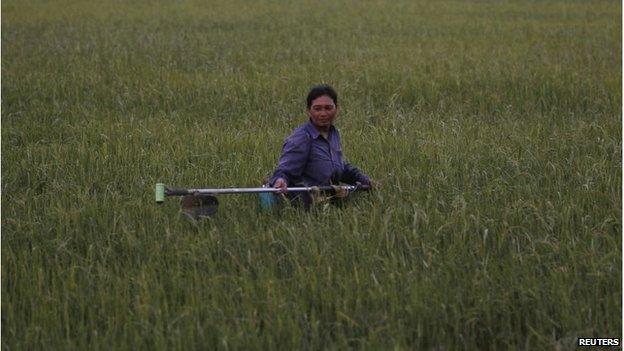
column 308, row 159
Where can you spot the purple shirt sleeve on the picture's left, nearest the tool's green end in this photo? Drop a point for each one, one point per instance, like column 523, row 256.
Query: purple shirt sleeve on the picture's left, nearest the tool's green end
column 293, row 160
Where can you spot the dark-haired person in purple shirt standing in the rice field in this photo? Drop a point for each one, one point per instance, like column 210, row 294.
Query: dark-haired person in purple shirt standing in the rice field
column 312, row 154
